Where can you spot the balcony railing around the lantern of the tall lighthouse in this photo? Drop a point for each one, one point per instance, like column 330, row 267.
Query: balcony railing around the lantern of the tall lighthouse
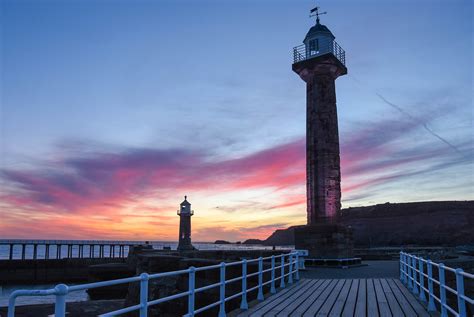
column 304, row 52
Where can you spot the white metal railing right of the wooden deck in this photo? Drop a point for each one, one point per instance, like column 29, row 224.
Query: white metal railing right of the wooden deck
column 413, row 275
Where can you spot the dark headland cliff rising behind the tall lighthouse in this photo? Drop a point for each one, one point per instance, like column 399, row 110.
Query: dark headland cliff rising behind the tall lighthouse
column 437, row 223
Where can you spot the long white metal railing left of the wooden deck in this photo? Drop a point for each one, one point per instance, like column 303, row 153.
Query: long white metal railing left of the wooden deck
column 290, row 260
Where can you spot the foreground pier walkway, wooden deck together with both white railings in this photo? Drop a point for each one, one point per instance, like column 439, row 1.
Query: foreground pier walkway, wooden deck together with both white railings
column 279, row 291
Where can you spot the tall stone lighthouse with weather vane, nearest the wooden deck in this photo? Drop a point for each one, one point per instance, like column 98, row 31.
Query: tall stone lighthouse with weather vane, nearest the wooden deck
column 319, row 62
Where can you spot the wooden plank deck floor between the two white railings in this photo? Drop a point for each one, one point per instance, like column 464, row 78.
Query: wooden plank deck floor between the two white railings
column 341, row 297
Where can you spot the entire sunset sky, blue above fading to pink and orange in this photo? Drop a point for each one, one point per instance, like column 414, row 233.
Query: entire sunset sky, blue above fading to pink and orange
column 112, row 111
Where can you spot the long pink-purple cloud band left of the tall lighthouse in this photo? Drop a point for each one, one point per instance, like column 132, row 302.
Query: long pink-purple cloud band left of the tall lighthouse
column 83, row 184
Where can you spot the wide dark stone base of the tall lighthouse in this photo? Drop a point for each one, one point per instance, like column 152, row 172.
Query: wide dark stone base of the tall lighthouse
column 325, row 241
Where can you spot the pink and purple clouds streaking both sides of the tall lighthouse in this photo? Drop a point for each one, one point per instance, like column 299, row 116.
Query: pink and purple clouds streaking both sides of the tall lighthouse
column 97, row 183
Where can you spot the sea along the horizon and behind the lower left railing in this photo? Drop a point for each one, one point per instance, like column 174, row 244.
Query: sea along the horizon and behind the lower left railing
column 6, row 290
